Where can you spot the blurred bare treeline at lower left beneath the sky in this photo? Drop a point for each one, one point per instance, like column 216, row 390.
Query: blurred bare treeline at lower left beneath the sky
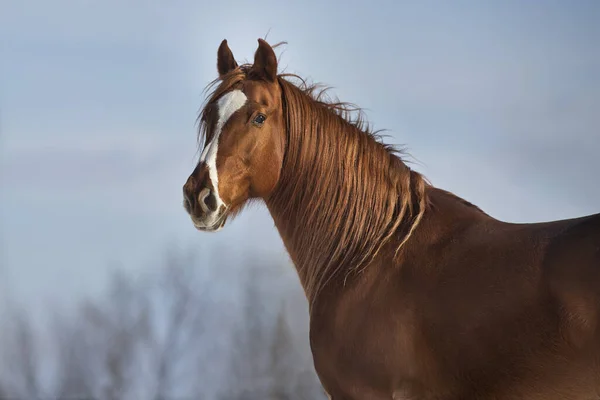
column 184, row 330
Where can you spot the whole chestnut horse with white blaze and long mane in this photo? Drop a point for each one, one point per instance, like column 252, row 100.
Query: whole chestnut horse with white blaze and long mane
column 413, row 292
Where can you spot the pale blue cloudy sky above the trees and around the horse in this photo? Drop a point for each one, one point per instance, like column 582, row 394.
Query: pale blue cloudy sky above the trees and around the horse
column 498, row 103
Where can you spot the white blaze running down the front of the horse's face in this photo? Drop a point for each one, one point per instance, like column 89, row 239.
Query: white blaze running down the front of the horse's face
column 226, row 106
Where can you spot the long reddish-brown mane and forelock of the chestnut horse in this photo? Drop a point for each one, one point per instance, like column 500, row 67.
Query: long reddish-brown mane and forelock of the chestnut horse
column 338, row 179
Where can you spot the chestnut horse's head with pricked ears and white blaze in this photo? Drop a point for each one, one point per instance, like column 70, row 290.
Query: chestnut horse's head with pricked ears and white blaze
column 244, row 142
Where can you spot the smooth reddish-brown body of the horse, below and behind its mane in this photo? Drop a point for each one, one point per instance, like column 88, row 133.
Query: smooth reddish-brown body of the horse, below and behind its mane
column 474, row 309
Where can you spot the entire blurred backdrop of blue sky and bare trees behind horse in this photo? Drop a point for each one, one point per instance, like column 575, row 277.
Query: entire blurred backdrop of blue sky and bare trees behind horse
column 108, row 291
